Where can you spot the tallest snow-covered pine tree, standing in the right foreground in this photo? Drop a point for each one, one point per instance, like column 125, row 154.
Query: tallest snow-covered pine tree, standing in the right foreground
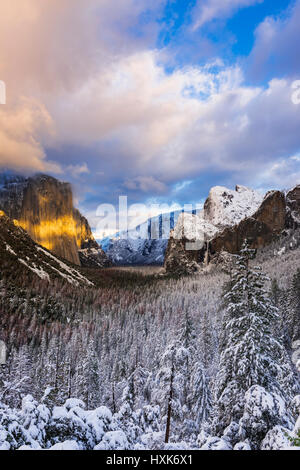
column 255, row 370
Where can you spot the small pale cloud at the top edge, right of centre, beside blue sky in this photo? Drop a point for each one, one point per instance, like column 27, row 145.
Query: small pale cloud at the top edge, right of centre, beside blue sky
column 208, row 10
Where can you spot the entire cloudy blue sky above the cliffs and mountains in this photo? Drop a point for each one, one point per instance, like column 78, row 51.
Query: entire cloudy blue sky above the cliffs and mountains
column 158, row 101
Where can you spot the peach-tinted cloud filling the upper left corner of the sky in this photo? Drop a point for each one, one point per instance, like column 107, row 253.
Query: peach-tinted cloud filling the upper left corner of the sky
column 49, row 49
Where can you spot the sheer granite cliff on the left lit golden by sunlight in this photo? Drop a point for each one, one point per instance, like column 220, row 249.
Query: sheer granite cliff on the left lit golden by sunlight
column 43, row 206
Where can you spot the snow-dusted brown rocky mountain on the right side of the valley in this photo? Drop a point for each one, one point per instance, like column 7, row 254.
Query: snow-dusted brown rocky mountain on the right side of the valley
column 228, row 218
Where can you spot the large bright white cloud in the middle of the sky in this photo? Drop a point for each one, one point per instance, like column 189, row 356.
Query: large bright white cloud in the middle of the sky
column 178, row 125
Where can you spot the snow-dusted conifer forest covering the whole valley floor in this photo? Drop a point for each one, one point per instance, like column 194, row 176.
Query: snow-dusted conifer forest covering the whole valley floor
column 146, row 362
